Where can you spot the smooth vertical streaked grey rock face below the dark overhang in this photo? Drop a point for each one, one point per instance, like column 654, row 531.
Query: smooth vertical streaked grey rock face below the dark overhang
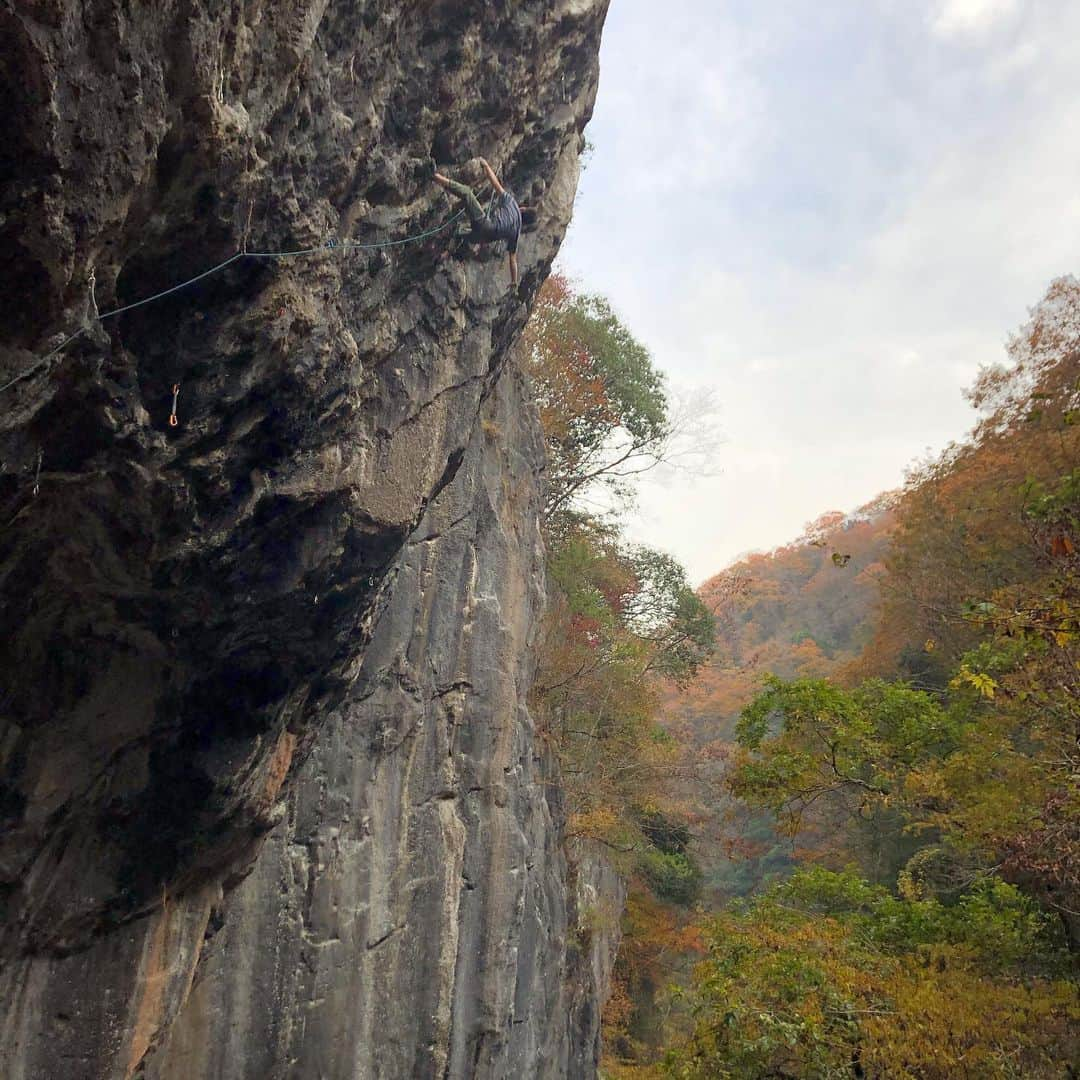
column 412, row 916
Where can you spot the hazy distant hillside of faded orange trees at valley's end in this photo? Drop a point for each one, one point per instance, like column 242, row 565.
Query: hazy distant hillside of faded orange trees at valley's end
column 807, row 610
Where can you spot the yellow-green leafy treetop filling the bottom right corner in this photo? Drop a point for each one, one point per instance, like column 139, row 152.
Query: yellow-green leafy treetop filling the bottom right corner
column 829, row 976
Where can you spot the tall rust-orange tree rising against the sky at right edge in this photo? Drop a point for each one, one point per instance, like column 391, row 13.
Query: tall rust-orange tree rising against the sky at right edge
column 962, row 532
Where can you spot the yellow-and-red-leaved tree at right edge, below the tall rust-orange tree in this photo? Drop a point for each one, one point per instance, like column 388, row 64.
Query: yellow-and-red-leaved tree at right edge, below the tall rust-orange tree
column 1012, row 792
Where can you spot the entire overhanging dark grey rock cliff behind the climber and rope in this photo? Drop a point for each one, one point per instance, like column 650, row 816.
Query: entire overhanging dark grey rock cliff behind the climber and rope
column 187, row 611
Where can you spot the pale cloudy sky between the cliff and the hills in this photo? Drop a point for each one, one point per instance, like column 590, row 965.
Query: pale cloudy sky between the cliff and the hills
column 830, row 214
